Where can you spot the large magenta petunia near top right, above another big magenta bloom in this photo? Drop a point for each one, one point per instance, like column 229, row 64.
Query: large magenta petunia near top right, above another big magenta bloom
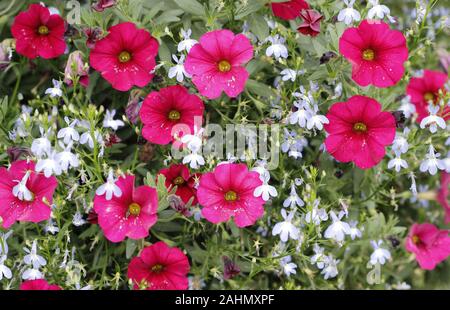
column 376, row 52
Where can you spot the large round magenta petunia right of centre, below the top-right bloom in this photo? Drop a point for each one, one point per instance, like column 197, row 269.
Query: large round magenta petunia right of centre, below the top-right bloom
column 359, row 131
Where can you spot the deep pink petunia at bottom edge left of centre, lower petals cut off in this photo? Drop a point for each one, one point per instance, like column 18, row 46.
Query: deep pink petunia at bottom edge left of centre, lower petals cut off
column 159, row 267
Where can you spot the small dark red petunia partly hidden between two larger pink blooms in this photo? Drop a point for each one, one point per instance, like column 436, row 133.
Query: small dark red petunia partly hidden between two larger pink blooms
column 179, row 176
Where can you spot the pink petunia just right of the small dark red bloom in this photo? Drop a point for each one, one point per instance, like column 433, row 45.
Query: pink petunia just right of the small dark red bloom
column 228, row 192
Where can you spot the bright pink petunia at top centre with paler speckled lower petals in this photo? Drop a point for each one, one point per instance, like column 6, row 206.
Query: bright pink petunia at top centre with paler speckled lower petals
column 216, row 63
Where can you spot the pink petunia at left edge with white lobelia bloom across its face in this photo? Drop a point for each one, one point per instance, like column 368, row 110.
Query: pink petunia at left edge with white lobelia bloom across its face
column 25, row 195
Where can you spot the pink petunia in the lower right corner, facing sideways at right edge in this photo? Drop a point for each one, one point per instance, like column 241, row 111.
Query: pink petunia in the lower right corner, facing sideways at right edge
column 430, row 245
